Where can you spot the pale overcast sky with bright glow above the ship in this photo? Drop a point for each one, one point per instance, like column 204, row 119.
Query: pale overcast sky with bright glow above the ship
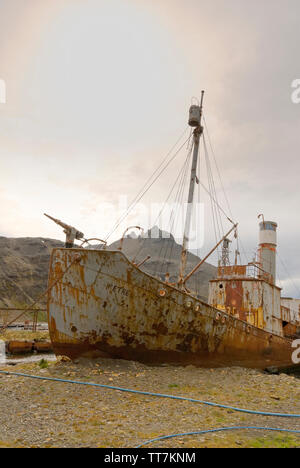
column 98, row 91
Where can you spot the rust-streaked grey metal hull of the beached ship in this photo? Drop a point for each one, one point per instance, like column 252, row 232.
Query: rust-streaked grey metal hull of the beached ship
column 103, row 305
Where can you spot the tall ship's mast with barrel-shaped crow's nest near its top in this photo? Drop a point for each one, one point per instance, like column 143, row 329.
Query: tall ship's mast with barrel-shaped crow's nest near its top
column 194, row 121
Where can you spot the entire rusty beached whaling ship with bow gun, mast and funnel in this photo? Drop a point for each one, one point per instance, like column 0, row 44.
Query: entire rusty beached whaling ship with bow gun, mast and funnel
column 101, row 303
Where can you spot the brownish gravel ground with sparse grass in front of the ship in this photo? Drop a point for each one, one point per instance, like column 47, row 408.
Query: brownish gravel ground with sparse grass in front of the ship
column 37, row 413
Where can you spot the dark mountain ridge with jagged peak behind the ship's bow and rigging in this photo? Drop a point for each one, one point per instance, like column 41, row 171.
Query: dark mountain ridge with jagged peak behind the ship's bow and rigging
column 24, row 264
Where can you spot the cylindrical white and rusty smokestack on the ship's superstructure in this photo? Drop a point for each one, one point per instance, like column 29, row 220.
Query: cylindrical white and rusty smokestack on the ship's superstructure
column 267, row 250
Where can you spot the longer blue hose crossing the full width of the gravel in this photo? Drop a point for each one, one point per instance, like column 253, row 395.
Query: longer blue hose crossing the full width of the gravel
column 160, row 395
